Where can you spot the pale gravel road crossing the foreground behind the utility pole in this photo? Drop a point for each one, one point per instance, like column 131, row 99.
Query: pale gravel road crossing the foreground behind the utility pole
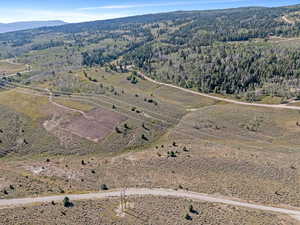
column 9, row 203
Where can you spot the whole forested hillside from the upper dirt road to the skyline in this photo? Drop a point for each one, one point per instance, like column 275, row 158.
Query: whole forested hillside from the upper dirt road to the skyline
column 232, row 51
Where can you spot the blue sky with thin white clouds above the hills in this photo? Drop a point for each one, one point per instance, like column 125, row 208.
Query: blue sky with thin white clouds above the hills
column 88, row 10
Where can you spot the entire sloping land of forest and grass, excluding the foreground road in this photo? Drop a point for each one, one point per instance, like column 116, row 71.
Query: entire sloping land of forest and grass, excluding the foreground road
column 153, row 101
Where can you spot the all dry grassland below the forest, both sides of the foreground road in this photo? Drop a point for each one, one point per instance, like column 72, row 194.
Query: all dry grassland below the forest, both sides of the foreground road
column 183, row 142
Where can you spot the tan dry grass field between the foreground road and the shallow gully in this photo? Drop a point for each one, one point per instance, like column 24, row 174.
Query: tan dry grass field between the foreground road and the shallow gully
column 218, row 156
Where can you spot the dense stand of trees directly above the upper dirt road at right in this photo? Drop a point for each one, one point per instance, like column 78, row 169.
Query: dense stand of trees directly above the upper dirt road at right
column 227, row 69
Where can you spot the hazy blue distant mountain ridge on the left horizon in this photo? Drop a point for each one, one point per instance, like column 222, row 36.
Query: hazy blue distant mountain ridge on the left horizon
column 10, row 27
